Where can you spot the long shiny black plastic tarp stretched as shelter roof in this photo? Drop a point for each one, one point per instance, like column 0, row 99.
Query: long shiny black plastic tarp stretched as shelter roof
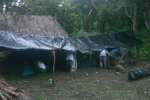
column 27, row 42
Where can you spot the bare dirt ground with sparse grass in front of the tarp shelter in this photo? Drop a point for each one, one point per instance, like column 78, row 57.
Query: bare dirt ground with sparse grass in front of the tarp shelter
column 85, row 84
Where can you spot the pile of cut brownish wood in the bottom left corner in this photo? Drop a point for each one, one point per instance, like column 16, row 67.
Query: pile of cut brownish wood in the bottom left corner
column 8, row 92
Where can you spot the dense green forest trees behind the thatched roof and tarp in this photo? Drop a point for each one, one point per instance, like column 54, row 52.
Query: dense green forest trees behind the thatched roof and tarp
column 88, row 17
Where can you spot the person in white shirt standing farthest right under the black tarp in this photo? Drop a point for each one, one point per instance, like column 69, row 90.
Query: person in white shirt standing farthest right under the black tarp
column 104, row 58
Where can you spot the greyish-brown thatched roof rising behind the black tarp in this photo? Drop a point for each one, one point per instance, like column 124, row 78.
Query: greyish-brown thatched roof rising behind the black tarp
column 38, row 25
